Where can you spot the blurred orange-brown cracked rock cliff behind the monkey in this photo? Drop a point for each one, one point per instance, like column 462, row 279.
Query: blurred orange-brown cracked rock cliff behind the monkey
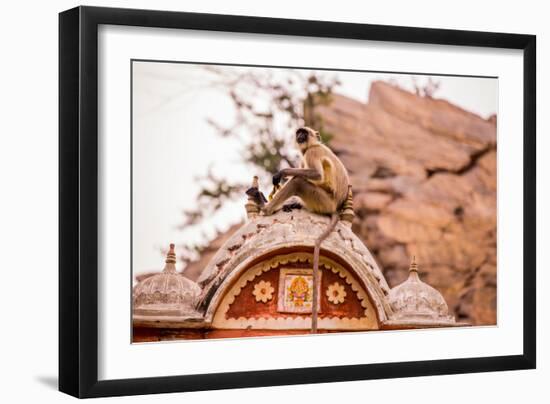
column 424, row 182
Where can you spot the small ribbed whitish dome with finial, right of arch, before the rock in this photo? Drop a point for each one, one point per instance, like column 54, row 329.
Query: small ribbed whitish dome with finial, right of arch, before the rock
column 415, row 300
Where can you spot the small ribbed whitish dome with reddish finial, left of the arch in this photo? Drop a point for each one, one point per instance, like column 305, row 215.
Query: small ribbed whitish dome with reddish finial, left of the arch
column 166, row 293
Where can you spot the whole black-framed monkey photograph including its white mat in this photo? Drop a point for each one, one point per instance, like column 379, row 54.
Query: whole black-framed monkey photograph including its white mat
column 251, row 201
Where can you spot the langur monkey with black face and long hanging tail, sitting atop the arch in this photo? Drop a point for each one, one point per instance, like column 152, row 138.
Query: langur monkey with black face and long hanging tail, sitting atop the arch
column 321, row 182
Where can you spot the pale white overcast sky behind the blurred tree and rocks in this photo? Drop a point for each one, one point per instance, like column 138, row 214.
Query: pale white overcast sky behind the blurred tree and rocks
column 173, row 144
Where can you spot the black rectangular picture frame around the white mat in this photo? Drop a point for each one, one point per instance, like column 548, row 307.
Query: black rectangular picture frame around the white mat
column 78, row 201
